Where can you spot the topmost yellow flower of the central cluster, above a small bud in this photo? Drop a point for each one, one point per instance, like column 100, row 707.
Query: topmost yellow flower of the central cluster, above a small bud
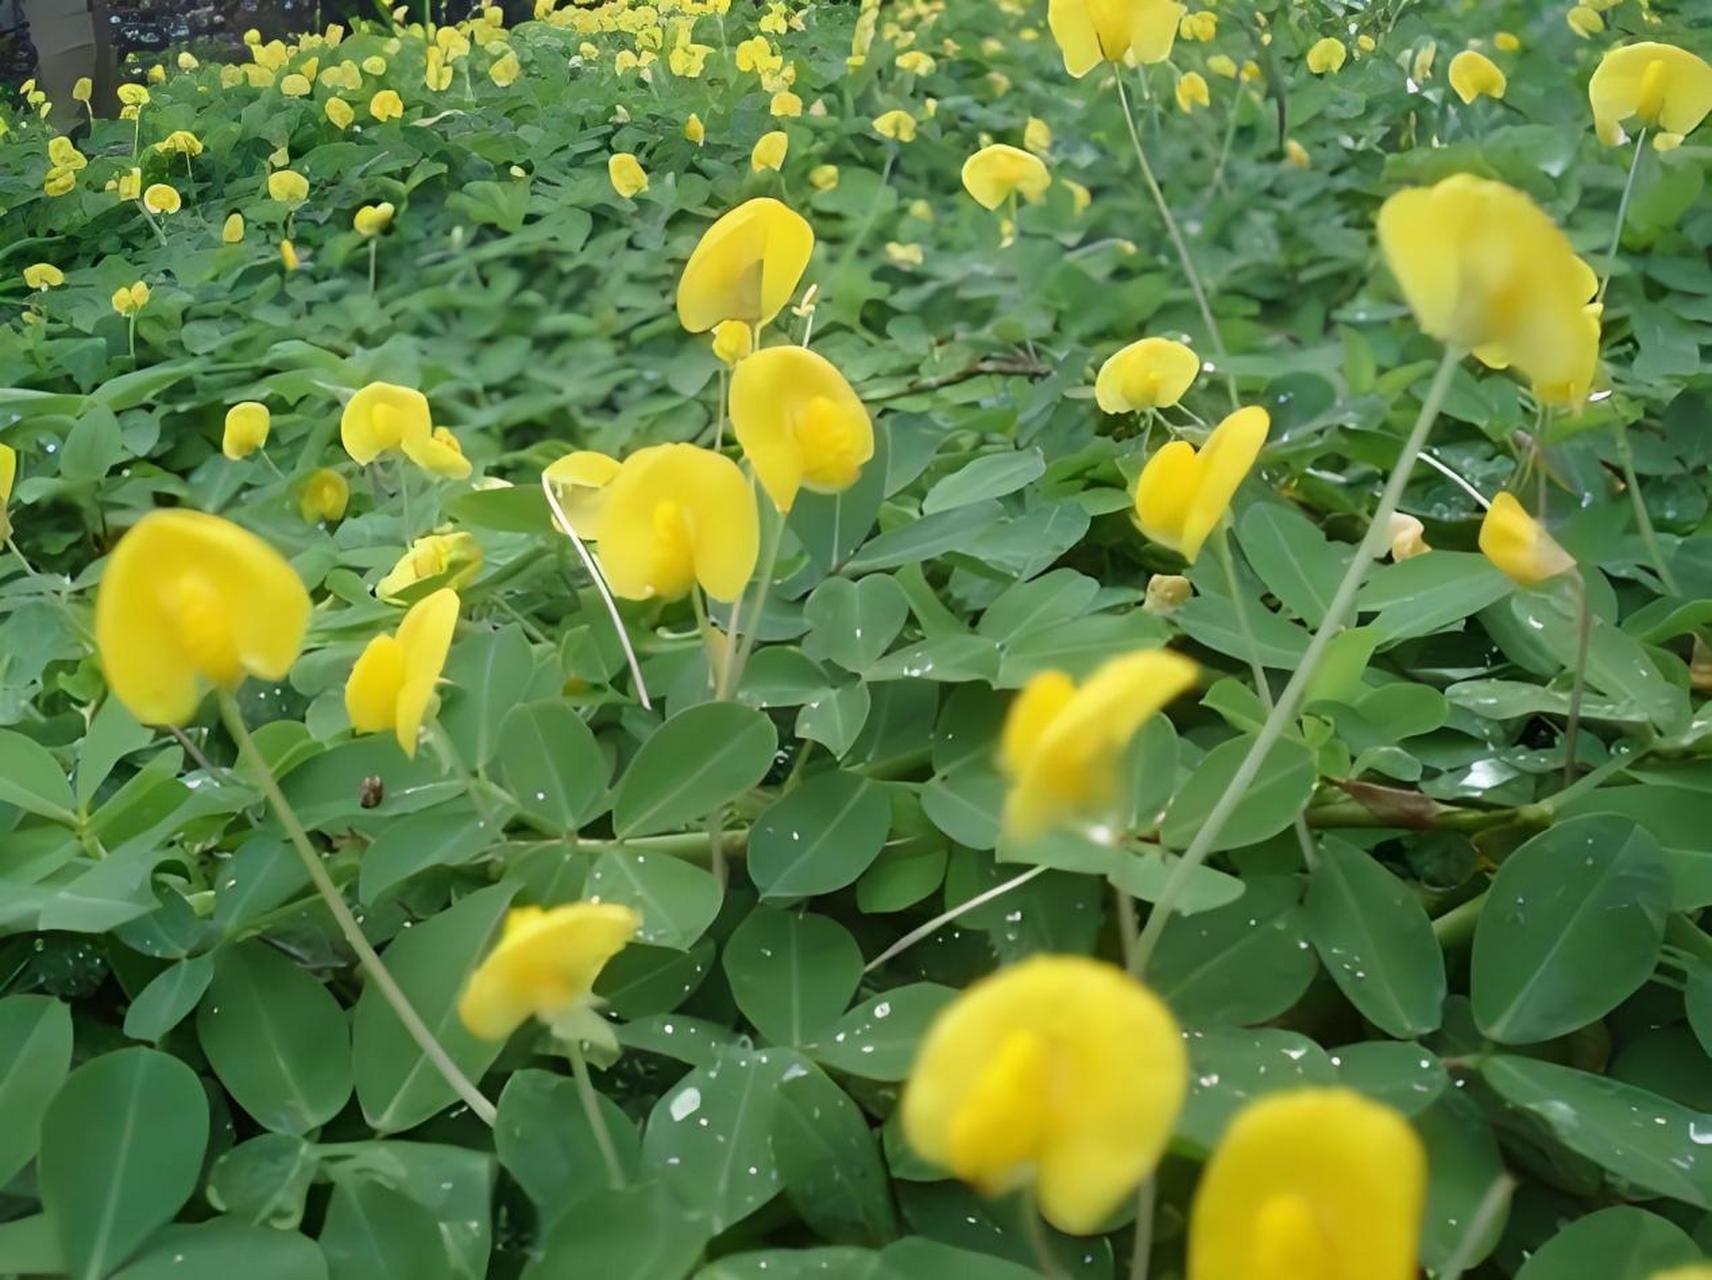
column 746, row 268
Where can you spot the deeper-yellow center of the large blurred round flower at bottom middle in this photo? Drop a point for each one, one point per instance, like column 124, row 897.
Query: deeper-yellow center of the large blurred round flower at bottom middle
column 1001, row 1129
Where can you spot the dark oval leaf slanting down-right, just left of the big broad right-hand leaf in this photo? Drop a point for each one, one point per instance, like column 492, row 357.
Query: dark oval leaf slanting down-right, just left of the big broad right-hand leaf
column 1377, row 942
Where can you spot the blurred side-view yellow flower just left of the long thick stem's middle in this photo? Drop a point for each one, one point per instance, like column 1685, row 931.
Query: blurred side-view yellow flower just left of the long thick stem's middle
column 1062, row 745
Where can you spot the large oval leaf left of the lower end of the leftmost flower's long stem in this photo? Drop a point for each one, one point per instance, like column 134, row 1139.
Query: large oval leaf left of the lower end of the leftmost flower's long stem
column 276, row 1040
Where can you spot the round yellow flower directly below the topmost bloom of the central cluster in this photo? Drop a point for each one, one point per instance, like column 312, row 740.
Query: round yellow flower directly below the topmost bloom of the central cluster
column 800, row 424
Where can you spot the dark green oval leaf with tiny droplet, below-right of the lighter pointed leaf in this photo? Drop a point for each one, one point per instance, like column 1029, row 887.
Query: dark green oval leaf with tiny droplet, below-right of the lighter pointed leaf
column 819, row 838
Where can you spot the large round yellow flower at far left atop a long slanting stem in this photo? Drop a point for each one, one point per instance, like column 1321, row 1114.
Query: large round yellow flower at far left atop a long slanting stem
column 191, row 601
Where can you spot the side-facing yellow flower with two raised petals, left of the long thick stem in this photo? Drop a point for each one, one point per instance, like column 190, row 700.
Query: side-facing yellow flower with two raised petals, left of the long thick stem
column 1182, row 494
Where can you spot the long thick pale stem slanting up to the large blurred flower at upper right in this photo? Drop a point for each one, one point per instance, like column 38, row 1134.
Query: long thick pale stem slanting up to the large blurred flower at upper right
column 1290, row 701
